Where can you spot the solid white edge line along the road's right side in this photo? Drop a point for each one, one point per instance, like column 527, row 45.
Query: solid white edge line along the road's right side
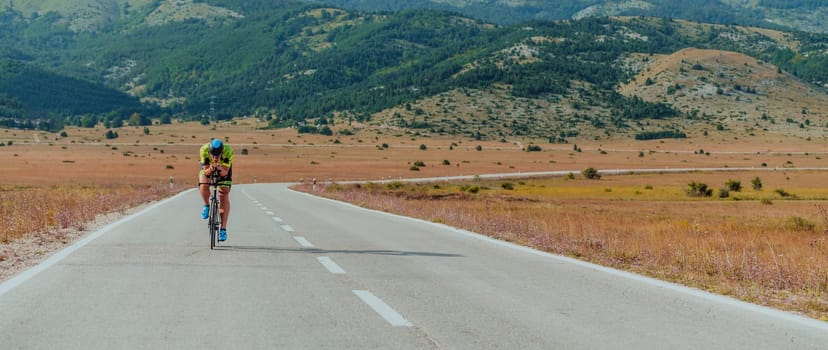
column 782, row 315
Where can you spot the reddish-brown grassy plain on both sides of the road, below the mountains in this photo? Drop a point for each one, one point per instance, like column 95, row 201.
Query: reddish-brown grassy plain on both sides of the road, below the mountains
column 763, row 247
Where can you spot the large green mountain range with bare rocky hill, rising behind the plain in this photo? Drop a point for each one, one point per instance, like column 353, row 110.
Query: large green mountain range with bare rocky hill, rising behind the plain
column 297, row 63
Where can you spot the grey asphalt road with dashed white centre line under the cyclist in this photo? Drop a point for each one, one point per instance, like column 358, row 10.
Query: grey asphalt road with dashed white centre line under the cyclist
column 299, row 272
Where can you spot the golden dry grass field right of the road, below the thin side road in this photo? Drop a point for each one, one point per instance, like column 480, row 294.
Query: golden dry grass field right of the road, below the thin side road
column 766, row 246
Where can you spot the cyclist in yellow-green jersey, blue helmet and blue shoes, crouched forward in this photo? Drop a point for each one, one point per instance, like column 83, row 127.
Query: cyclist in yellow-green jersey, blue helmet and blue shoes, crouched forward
column 216, row 156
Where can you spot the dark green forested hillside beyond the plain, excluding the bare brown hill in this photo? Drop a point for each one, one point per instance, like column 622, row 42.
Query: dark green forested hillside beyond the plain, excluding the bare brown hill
column 293, row 62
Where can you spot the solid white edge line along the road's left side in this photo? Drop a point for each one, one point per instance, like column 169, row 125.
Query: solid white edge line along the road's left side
column 60, row 255
